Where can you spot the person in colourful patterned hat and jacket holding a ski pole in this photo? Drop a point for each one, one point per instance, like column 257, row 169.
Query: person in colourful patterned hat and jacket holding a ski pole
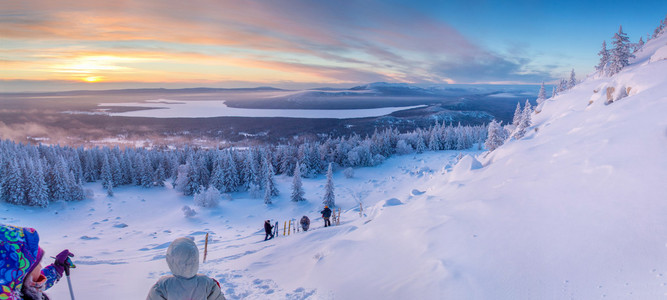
column 21, row 272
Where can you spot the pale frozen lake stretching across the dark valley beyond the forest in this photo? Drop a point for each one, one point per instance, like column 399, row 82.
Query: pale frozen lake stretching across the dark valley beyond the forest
column 163, row 108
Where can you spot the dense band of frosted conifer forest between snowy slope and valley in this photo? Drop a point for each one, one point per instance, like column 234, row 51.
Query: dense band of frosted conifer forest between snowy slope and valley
column 36, row 175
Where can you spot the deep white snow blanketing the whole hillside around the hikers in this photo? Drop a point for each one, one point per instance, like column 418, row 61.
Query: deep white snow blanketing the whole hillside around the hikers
column 574, row 210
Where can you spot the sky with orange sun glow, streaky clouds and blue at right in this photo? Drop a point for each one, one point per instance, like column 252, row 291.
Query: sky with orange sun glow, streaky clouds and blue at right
column 65, row 45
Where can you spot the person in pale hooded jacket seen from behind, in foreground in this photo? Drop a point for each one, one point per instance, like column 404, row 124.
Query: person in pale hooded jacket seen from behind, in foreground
column 185, row 283
